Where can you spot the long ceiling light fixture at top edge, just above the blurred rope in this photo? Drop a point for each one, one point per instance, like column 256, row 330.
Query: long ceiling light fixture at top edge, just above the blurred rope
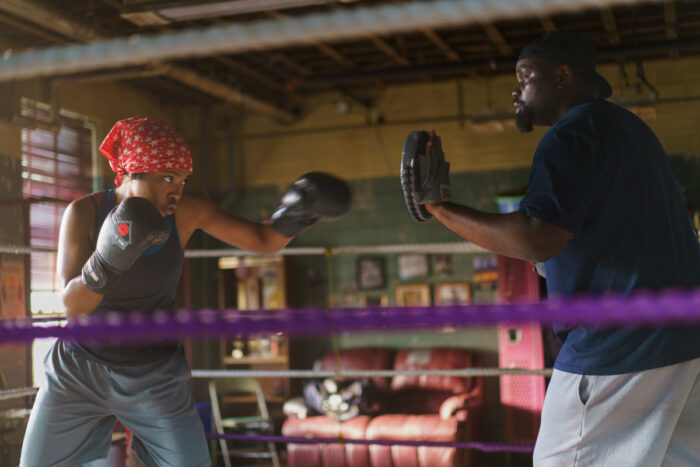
column 155, row 14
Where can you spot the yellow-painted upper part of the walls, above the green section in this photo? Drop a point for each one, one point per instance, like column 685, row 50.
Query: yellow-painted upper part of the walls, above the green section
column 266, row 152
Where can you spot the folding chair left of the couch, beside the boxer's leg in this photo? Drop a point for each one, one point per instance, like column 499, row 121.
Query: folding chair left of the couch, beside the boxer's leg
column 218, row 390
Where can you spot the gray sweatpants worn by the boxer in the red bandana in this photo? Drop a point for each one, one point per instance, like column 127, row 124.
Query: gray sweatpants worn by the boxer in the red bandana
column 77, row 405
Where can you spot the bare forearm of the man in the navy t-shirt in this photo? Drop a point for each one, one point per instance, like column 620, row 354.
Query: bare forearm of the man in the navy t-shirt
column 514, row 234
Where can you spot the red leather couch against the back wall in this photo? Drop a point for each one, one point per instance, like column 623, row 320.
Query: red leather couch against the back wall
column 417, row 408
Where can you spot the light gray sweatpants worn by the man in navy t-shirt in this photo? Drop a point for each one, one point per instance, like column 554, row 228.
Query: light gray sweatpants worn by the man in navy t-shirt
column 649, row 418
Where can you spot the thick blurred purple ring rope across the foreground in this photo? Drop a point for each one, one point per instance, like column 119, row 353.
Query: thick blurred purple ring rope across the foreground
column 641, row 308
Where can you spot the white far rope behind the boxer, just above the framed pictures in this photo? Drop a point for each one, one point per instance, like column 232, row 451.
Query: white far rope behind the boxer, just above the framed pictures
column 434, row 248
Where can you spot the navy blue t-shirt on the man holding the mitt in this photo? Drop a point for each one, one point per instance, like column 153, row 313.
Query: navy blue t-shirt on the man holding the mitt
column 601, row 173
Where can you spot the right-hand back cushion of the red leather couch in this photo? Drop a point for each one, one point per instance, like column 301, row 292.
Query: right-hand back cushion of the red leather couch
column 433, row 359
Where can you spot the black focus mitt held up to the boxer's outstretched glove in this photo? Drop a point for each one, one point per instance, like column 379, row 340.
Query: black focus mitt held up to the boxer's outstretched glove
column 424, row 178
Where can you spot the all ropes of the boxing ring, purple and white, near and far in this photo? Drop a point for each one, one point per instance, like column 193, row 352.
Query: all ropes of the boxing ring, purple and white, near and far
column 643, row 308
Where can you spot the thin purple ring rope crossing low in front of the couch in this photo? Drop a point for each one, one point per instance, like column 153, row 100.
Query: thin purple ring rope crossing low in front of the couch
column 477, row 445
